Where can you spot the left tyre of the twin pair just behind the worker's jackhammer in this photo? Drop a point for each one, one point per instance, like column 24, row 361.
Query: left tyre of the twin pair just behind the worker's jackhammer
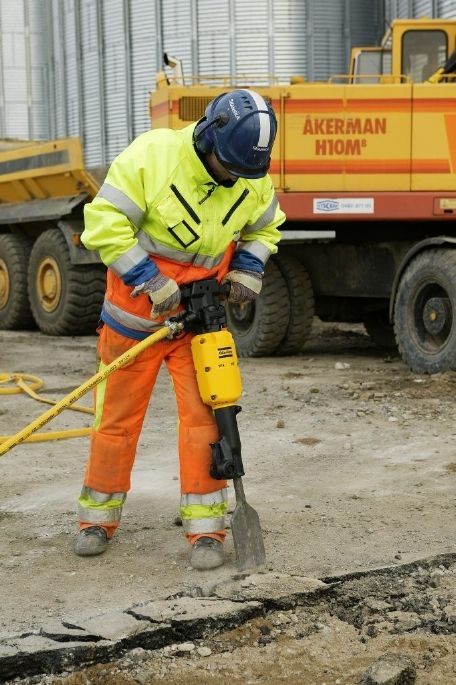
column 258, row 327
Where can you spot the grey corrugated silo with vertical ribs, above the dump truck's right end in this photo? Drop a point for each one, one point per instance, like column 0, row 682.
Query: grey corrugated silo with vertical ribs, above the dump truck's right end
column 104, row 56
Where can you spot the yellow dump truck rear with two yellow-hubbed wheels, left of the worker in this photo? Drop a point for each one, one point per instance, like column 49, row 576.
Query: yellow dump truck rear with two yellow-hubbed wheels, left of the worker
column 47, row 278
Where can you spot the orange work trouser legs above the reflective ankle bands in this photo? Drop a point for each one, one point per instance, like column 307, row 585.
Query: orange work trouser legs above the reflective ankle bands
column 121, row 402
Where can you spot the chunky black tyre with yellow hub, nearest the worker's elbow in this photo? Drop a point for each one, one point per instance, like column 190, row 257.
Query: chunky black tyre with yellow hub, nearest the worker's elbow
column 65, row 298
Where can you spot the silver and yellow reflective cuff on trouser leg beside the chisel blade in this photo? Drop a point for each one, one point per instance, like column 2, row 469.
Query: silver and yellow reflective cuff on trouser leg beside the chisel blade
column 204, row 513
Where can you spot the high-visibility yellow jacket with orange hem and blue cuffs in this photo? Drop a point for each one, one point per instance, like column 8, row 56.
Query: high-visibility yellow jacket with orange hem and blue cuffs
column 160, row 210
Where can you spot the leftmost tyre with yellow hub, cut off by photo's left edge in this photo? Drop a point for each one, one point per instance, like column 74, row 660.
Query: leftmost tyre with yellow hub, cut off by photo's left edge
column 15, row 312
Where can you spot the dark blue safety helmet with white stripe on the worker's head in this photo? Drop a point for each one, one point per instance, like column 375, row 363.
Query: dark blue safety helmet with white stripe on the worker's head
column 239, row 127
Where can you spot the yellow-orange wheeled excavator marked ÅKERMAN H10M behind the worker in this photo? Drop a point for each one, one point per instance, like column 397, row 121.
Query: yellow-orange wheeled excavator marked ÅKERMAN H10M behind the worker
column 365, row 169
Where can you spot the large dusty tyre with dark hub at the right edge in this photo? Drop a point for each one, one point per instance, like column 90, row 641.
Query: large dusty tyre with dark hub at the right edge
column 425, row 312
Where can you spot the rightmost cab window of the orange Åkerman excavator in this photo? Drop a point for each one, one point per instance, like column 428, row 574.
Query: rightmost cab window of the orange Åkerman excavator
column 423, row 52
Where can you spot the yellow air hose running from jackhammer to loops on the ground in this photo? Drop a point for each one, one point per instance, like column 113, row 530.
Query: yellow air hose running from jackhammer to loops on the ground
column 8, row 442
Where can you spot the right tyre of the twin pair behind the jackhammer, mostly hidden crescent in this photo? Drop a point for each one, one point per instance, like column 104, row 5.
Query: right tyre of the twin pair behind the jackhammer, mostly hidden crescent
column 302, row 304
